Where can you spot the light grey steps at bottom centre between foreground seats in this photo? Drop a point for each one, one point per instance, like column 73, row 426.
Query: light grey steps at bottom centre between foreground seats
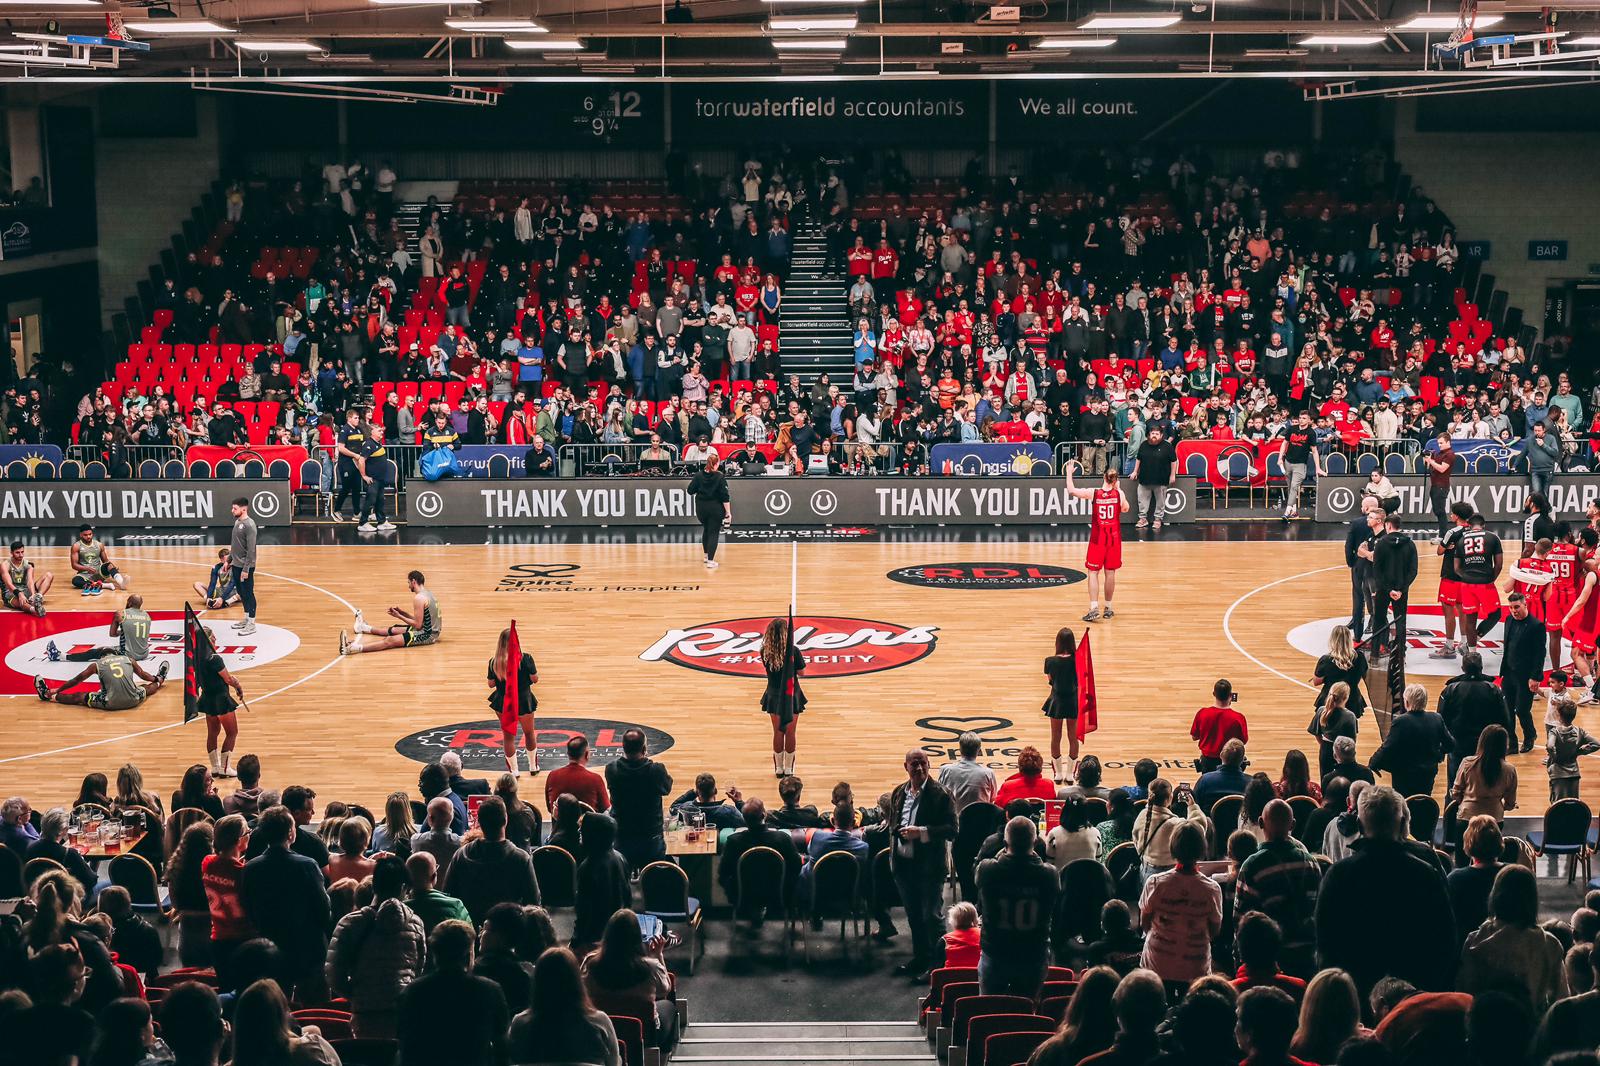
column 804, row 1043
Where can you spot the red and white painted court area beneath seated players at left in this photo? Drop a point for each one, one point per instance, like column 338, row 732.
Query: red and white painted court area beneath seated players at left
column 84, row 631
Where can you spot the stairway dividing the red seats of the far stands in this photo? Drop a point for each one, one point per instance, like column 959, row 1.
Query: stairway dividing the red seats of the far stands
column 815, row 331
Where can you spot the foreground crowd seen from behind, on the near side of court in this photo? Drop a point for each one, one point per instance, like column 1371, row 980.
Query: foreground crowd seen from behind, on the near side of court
column 1238, row 918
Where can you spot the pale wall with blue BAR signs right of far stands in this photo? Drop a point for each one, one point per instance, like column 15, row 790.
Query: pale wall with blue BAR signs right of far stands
column 1511, row 188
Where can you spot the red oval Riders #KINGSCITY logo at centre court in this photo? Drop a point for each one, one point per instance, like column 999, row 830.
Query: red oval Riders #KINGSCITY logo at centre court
column 833, row 647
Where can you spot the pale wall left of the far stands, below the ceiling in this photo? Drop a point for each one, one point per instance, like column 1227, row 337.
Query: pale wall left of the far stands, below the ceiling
column 146, row 188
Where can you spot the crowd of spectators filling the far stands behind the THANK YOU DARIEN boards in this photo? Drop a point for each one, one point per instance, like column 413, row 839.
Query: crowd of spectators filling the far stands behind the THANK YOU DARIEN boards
column 1089, row 305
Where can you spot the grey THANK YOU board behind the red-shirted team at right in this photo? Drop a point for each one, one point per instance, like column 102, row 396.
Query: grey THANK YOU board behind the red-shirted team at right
column 1498, row 497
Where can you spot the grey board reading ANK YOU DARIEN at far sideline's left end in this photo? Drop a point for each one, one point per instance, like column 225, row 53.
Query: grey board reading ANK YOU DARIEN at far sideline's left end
column 68, row 505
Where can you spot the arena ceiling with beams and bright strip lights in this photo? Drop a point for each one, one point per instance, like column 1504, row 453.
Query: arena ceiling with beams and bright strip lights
column 476, row 46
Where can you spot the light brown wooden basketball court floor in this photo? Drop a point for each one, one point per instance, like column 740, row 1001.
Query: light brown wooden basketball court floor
column 940, row 660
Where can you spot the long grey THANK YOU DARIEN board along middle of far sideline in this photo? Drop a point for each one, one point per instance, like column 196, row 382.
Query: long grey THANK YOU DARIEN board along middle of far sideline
column 767, row 502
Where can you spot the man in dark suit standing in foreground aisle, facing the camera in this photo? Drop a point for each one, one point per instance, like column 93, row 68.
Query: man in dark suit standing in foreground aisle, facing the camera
column 922, row 819
